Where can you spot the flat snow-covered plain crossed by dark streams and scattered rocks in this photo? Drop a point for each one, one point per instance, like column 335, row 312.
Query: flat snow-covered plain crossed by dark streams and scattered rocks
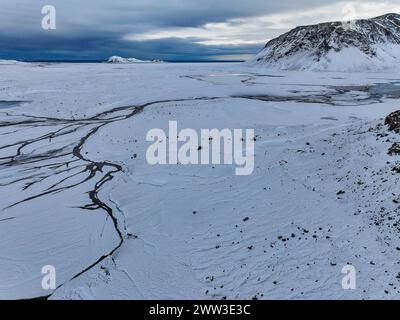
column 77, row 192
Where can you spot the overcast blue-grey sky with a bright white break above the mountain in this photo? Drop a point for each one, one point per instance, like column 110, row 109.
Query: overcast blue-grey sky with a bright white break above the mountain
column 163, row 29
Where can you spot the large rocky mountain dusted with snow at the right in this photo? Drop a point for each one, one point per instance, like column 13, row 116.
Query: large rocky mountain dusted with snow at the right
column 358, row 45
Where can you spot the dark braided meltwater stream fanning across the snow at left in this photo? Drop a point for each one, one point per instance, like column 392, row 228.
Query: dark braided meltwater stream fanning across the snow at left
column 57, row 151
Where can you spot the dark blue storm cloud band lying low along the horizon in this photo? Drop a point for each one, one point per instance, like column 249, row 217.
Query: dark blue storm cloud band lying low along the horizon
column 100, row 47
